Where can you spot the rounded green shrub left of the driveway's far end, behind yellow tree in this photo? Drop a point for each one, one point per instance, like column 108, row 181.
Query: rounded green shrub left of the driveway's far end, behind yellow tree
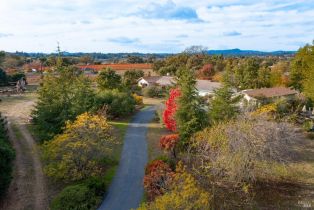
column 114, row 103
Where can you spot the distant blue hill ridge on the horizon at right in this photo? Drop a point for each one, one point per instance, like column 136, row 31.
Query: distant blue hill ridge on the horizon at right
column 238, row 52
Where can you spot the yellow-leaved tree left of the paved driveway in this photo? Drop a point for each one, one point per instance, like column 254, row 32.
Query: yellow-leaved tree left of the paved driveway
column 79, row 152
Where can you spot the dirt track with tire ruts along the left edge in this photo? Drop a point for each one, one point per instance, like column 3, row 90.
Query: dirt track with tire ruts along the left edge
column 28, row 187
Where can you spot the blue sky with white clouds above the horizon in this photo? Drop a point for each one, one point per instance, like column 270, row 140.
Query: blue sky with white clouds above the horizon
column 154, row 26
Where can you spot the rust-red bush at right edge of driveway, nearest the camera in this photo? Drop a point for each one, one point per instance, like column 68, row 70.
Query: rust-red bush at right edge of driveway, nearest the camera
column 157, row 179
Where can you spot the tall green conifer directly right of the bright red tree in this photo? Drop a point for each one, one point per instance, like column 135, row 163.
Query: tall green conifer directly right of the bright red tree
column 190, row 115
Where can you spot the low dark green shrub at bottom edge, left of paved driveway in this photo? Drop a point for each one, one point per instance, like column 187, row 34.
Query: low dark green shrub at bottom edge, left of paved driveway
column 79, row 197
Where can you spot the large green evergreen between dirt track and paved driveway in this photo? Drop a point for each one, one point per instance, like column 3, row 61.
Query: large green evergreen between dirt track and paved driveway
column 63, row 95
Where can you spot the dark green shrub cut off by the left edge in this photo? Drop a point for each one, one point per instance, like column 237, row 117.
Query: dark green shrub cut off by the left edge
column 7, row 155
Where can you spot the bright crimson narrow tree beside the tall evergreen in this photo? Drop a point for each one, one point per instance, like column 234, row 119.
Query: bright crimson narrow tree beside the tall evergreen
column 171, row 107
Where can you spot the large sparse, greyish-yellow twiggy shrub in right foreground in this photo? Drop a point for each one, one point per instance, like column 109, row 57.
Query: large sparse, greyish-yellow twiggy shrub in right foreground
column 242, row 151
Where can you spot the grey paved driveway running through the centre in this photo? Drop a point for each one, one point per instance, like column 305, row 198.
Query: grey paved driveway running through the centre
column 126, row 191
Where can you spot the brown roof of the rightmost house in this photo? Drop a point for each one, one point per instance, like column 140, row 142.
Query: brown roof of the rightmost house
column 270, row 92
